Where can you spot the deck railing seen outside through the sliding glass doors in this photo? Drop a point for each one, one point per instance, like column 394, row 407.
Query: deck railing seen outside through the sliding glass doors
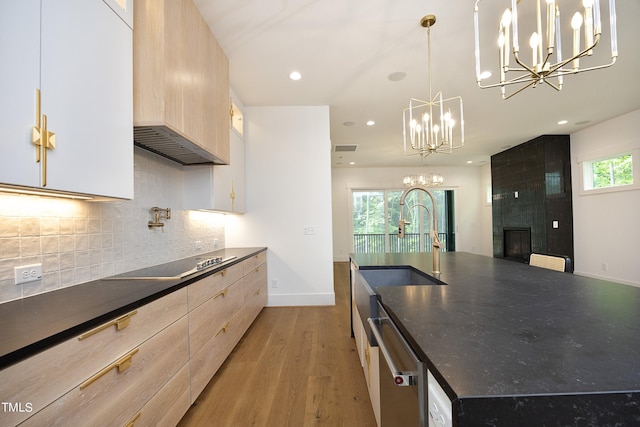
column 370, row 243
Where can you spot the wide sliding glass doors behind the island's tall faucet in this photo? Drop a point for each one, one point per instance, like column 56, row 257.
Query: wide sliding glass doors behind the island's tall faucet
column 376, row 214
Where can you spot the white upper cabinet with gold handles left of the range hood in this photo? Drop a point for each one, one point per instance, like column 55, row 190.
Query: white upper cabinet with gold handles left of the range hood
column 79, row 54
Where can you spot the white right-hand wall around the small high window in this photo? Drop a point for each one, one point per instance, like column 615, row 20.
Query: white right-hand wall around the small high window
column 606, row 226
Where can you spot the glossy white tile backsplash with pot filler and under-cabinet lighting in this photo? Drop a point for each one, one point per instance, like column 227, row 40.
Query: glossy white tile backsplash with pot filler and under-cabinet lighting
column 78, row 241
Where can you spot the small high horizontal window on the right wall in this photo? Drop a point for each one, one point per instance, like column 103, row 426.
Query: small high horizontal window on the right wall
column 608, row 172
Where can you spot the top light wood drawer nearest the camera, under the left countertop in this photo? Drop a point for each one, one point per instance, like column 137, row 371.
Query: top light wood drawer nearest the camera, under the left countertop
column 43, row 378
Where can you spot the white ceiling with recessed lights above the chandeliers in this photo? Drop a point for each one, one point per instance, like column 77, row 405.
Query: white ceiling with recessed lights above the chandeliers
column 346, row 49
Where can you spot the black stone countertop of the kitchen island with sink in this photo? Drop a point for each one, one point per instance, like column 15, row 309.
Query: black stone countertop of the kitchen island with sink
column 512, row 344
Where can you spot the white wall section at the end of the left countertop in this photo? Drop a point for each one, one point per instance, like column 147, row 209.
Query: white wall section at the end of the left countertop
column 288, row 189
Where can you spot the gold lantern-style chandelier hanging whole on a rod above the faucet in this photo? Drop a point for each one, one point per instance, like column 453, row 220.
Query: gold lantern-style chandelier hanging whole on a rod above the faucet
column 430, row 126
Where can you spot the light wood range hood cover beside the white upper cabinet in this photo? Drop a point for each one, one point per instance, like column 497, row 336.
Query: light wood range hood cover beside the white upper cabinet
column 181, row 83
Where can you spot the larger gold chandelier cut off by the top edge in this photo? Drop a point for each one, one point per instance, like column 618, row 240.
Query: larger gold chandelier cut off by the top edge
column 547, row 63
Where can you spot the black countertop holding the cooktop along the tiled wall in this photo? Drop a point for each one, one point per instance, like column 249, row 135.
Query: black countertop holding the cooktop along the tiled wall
column 33, row 324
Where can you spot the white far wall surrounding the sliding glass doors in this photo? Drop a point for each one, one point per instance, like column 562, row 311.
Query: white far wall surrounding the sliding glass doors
column 469, row 185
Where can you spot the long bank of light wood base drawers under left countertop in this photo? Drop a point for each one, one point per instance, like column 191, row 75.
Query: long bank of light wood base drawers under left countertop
column 147, row 365
